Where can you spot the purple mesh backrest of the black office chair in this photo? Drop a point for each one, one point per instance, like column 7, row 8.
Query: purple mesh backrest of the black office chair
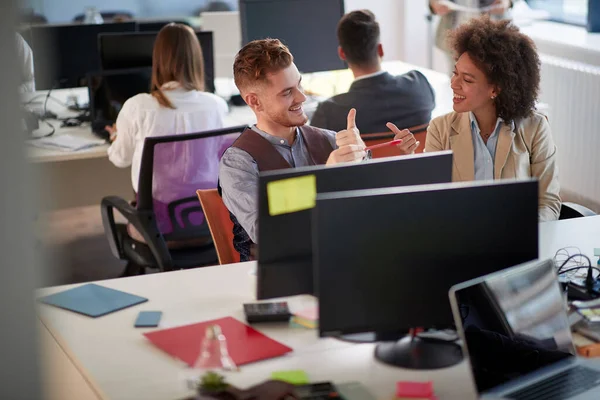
column 172, row 169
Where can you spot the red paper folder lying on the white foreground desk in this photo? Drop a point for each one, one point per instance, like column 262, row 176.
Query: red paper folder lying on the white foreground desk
column 245, row 344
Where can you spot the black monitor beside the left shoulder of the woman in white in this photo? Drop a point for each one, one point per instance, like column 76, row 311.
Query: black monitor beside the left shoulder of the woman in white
column 108, row 90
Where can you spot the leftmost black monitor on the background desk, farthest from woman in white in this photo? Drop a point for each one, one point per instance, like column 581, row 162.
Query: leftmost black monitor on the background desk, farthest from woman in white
column 64, row 54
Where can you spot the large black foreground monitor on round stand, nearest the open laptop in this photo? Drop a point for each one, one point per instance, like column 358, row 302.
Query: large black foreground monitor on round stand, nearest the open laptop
column 385, row 259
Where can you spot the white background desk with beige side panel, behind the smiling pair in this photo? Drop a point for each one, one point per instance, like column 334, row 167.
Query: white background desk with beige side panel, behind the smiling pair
column 82, row 178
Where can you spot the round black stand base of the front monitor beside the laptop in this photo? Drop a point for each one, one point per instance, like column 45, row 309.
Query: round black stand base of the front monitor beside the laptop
column 413, row 352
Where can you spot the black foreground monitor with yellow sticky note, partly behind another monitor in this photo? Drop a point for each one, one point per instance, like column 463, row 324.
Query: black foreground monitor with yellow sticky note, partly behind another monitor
column 285, row 257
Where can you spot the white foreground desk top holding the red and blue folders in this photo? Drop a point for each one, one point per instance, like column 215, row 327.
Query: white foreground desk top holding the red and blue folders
column 118, row 362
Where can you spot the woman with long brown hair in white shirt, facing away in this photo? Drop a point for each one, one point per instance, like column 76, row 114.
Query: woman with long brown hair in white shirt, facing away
column 176, row 104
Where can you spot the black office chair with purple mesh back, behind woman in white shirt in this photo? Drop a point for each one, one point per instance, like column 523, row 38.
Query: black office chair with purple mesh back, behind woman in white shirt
column 166, row 229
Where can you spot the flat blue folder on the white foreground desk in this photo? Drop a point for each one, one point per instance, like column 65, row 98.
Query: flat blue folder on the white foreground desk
column 92, row 300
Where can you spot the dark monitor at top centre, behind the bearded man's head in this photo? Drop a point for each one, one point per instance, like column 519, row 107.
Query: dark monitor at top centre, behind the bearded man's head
column 307, row 27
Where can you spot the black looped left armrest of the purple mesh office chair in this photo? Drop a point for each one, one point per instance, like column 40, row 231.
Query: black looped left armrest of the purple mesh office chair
column 143, row 221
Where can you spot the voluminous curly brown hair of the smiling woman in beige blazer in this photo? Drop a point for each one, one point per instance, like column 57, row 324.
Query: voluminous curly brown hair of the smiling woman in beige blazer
column 508, row 59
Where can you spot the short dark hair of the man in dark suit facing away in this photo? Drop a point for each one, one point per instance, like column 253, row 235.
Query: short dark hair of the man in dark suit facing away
column 358, row 35
